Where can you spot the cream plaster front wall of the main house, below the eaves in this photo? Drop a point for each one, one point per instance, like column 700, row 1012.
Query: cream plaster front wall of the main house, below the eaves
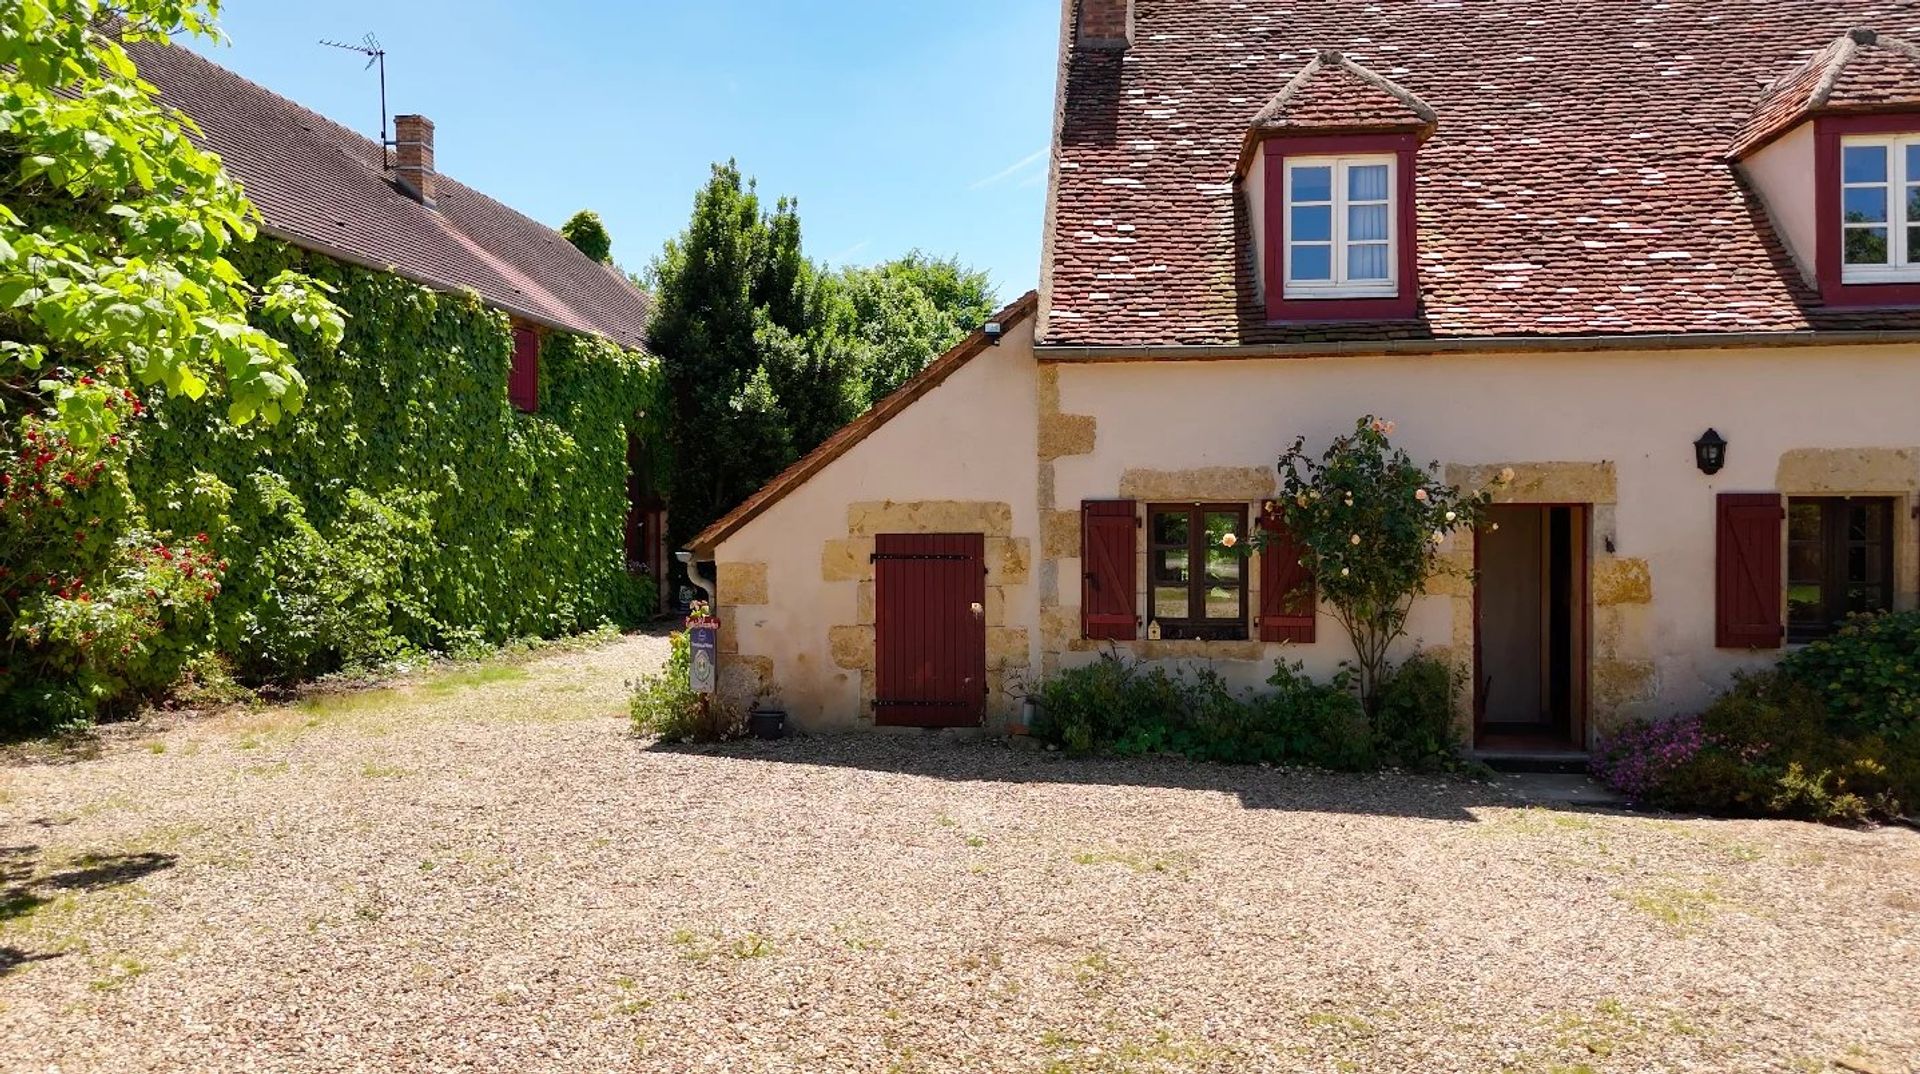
column 1639, row 412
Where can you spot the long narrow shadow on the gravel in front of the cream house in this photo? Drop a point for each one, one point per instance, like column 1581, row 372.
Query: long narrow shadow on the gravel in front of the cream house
column 1301, row 791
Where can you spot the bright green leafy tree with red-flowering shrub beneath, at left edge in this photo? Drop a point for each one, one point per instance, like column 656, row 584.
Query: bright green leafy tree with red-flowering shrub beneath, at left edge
column 114, row 281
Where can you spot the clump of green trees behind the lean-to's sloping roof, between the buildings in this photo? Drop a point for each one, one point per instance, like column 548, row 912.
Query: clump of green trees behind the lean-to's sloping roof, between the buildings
column 767, row 354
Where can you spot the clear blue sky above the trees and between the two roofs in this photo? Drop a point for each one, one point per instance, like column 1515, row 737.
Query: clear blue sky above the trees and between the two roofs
column 900, row 126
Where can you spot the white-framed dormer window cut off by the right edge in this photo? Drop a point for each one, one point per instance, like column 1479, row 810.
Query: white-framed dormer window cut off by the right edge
column 1881, row 208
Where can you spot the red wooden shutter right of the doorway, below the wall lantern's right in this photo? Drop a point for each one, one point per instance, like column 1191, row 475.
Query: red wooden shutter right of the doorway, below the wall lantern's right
column 1748, row 572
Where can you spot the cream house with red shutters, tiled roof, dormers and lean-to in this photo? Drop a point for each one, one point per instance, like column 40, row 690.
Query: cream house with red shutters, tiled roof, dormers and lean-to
column 1558, row 239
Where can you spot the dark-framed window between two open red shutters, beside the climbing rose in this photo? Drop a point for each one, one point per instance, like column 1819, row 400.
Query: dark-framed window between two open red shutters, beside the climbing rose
column 1195, row 581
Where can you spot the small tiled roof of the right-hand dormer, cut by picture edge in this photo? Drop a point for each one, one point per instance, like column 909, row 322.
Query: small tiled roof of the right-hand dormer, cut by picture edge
column 1860, row 70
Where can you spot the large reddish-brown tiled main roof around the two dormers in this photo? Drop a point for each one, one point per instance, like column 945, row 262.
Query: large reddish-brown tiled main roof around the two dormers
column 1575, row 185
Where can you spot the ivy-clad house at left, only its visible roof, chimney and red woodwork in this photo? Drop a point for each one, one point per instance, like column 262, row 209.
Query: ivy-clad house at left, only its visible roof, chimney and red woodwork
column 333, row 191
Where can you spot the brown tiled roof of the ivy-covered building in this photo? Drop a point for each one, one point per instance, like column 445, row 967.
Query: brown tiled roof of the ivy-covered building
column 325, row 187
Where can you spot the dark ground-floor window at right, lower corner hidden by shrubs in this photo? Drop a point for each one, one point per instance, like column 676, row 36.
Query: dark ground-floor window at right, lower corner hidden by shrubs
column 1840, row 562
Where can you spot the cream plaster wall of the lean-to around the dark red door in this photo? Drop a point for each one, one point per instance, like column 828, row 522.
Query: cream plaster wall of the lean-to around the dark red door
column 969, row 441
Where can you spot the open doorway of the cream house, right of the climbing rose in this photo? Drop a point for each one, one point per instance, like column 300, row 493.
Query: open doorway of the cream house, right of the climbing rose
column 1531, row 610
